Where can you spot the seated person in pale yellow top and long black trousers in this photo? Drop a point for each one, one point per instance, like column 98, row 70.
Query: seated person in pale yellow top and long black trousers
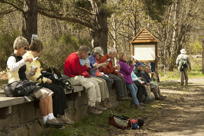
column 59, row 97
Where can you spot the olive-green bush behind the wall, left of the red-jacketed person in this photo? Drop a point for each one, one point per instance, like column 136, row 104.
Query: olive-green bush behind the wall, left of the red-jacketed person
column 56, row 51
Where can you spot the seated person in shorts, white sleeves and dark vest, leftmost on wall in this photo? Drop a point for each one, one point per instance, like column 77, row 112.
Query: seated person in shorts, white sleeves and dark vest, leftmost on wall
column 16, row 67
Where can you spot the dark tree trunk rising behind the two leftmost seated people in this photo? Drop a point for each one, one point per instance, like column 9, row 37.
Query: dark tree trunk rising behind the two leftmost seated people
column 29, row 19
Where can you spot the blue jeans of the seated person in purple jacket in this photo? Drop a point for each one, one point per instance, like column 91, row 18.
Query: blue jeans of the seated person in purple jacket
column 133, row 90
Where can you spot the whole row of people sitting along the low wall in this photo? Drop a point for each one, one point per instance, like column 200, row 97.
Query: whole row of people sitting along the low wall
column 93, row 70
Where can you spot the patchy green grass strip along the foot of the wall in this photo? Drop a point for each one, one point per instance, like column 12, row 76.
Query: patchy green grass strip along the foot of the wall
column 97, row 125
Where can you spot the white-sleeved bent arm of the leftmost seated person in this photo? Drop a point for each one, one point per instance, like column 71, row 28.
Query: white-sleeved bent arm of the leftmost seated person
column 13, row 65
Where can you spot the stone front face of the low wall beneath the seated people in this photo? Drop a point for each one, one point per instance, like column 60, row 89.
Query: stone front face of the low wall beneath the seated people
column 25, row 119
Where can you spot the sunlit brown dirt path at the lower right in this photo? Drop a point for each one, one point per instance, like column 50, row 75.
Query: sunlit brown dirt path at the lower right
column 182, row 114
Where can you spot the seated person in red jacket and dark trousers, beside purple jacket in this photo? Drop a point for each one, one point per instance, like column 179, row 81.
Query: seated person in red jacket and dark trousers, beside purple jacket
column 113, row 73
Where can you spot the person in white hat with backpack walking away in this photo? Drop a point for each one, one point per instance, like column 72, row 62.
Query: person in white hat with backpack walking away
column 183, row 64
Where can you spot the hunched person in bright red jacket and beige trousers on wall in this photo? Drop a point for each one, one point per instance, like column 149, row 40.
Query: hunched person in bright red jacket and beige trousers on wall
column 77, row 66
